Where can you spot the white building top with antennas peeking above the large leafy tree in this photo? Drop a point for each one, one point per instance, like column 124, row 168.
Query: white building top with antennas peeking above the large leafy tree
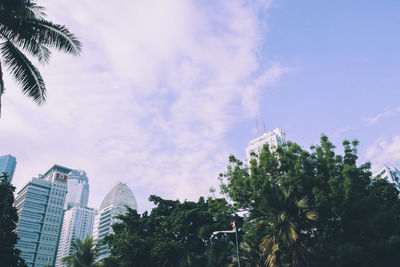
column 273, row 139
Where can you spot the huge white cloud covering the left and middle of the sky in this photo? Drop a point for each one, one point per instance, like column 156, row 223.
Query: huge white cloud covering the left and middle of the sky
column 151, row 99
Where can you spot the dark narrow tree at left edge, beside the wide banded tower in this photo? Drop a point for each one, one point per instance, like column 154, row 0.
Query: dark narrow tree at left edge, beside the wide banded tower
column 9, row 255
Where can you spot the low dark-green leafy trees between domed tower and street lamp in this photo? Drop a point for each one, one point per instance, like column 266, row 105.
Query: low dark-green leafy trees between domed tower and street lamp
column 174, row 234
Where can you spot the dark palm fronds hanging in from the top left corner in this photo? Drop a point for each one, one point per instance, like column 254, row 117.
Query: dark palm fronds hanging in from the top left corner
column 23, row 28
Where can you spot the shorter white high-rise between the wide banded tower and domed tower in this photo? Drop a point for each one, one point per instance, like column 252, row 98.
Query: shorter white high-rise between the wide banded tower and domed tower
column 77, row 224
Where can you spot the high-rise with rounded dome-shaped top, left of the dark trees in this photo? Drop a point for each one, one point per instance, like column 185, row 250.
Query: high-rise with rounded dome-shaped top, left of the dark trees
column 113, row 204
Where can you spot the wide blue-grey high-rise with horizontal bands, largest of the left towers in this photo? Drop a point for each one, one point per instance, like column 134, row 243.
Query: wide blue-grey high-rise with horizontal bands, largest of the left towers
column 40, row 209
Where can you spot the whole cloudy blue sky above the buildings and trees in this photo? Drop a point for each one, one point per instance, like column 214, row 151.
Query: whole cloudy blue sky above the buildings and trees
column 165, row 91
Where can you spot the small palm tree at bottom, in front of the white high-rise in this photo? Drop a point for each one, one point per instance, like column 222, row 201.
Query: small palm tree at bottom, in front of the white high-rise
column 84, row 255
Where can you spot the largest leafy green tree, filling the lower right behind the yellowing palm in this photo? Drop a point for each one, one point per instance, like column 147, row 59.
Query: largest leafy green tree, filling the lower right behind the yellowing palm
column 358, row 217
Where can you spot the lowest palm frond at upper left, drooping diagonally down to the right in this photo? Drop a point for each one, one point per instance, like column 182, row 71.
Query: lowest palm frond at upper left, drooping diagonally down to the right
column 26, row 74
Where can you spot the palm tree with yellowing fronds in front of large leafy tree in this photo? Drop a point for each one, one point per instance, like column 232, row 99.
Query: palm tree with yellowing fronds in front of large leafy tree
column 284, row 228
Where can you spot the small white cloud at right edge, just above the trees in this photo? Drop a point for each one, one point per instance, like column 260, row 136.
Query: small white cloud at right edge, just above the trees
column 384, row 151
